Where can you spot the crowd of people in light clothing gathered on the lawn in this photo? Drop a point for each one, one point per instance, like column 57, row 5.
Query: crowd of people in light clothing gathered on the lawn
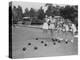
column 58, row 23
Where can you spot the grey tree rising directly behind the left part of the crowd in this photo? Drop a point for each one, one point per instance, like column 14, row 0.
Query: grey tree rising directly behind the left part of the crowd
column 52, row 10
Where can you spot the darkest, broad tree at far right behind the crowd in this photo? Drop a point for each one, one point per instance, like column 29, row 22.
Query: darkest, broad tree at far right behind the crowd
column 69, row 12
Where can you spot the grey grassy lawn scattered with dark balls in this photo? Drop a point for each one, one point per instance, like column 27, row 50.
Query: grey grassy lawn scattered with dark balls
column 21, row 36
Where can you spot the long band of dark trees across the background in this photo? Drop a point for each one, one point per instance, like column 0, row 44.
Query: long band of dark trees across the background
column 67, row 12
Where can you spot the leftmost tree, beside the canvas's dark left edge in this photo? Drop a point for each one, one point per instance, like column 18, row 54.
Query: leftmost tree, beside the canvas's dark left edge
column 17, row 14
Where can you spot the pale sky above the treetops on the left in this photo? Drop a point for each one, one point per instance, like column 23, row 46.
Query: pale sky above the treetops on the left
column 28, row 5
